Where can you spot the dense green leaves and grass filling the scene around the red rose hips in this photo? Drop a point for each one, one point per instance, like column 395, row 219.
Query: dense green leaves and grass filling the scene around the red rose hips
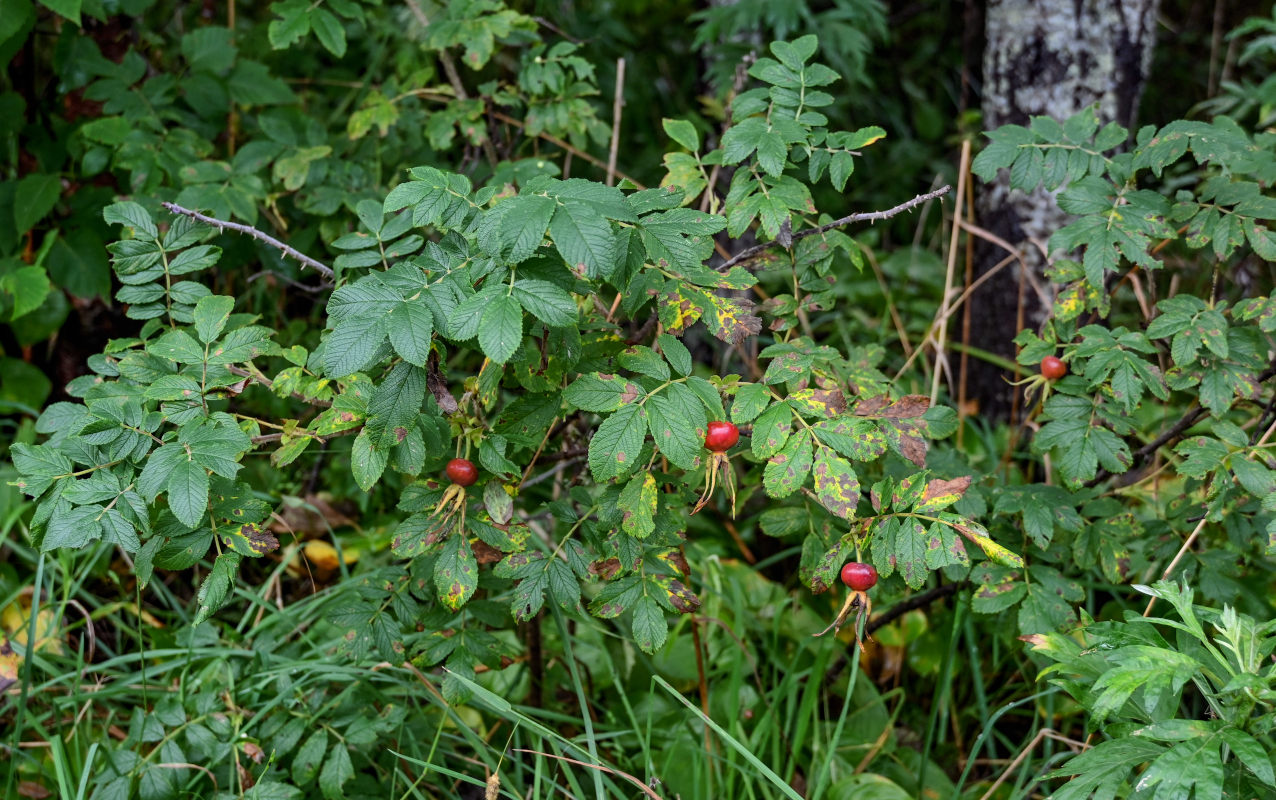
column 238, row 522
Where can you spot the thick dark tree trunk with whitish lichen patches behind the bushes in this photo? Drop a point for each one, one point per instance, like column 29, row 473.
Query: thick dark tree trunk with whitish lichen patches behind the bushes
column 1043, row 58
